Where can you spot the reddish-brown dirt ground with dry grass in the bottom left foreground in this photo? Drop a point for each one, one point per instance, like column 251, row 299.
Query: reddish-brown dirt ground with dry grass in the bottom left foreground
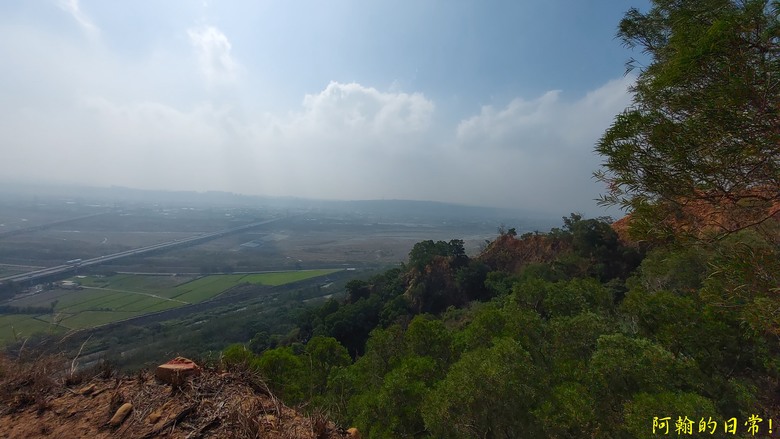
column 37, row 400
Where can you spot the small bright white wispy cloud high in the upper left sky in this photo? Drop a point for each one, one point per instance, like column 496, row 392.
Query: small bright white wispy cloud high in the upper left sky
column 213, row 50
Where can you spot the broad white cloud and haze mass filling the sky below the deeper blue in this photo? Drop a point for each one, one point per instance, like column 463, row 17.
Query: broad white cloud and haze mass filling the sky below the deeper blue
column 176, row 110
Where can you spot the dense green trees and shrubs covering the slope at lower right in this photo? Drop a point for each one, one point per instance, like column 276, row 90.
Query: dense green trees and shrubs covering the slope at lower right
column 535, row 357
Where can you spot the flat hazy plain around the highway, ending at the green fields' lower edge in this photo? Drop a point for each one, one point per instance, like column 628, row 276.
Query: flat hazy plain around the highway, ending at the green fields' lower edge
column 303, row 243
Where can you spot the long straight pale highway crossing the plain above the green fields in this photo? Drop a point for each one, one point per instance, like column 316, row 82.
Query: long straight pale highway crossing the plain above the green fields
column 60, row 269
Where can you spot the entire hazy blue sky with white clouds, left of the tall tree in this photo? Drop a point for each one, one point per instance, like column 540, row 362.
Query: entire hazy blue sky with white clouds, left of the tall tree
column 495, row 103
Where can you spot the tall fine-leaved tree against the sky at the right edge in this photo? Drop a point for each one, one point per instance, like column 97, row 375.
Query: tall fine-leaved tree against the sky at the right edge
column 700, row 146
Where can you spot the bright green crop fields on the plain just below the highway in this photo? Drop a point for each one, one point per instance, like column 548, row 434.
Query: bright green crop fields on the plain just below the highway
column 109, row 299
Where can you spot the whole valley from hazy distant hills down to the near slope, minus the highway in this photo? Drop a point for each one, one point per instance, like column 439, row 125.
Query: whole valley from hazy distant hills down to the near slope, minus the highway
column 182, row 289
